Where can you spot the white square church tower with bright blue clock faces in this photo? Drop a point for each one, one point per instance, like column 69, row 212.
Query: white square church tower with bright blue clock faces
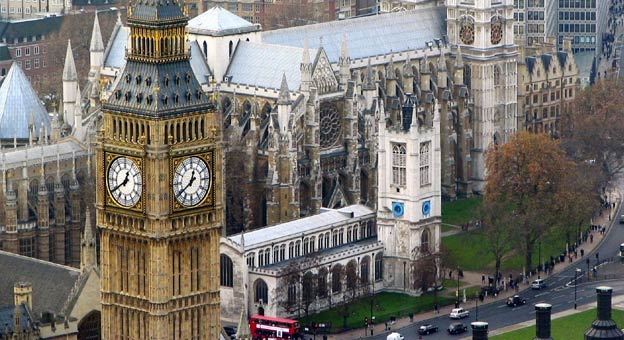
column 409, row 199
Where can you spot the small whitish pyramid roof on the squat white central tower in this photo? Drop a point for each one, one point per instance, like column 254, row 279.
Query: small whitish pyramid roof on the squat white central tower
column 218, row 21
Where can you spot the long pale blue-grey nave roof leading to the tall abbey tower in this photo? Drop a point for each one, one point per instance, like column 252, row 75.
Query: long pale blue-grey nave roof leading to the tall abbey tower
column 367, row 36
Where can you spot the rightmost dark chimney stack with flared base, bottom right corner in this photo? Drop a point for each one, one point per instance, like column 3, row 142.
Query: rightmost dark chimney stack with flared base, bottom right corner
column 604, row 327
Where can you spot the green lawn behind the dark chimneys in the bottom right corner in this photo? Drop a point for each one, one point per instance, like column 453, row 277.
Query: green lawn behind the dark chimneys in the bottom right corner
column 570, row 327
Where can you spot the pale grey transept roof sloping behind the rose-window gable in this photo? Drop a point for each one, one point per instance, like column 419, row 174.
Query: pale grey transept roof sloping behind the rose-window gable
column 263, row 65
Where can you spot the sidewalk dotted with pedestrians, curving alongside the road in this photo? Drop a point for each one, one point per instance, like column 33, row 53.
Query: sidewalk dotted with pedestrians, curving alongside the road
column 474, row 279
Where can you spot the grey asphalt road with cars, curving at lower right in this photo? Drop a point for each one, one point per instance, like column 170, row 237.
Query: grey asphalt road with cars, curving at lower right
column 559, row 293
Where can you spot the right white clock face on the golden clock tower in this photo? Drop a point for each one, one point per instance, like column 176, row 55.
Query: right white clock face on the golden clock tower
column 191, row 181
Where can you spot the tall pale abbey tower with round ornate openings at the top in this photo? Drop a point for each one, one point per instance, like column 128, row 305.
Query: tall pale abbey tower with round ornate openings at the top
column 483, row 29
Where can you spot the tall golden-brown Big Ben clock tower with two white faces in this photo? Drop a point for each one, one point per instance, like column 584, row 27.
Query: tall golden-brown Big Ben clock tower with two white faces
column 159, row 189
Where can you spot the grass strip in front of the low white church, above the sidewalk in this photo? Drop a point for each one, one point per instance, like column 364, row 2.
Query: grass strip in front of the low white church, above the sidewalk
column 384, row 305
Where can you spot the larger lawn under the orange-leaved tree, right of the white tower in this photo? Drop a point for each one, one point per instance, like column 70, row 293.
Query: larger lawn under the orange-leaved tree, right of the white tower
column 470, row 252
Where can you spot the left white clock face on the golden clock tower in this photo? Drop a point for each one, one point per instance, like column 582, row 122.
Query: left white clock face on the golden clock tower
column 125, row 182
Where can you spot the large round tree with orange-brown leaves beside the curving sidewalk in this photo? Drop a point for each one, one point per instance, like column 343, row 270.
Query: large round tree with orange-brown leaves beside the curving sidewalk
column 527, row 177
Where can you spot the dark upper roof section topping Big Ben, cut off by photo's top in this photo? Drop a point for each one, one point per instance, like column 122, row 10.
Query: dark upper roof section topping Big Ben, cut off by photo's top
column 155, row 10
